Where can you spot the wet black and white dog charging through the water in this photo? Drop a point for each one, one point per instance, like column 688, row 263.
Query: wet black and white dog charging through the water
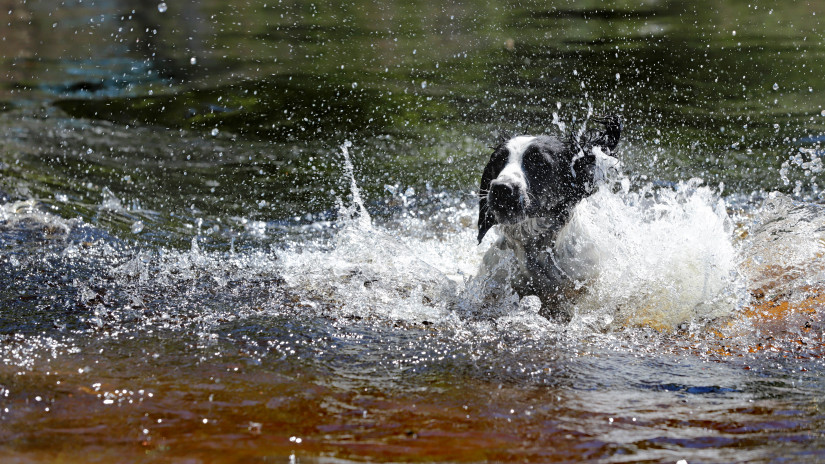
column 529, row 189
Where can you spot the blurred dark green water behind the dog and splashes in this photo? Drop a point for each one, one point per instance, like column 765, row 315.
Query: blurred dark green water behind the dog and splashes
column 723, row 91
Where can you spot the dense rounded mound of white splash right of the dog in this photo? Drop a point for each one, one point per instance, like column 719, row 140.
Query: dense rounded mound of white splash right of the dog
column 657, row 257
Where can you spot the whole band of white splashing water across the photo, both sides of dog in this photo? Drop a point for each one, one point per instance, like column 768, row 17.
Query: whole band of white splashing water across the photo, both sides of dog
column 650, row 256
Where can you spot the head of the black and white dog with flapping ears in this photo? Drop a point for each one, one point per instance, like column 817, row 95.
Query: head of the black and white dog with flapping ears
column 543, row 176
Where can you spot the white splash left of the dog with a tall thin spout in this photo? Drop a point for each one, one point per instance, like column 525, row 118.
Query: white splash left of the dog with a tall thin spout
column 367, row 271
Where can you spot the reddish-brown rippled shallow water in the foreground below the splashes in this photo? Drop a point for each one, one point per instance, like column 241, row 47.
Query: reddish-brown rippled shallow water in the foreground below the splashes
column 97, row 407
